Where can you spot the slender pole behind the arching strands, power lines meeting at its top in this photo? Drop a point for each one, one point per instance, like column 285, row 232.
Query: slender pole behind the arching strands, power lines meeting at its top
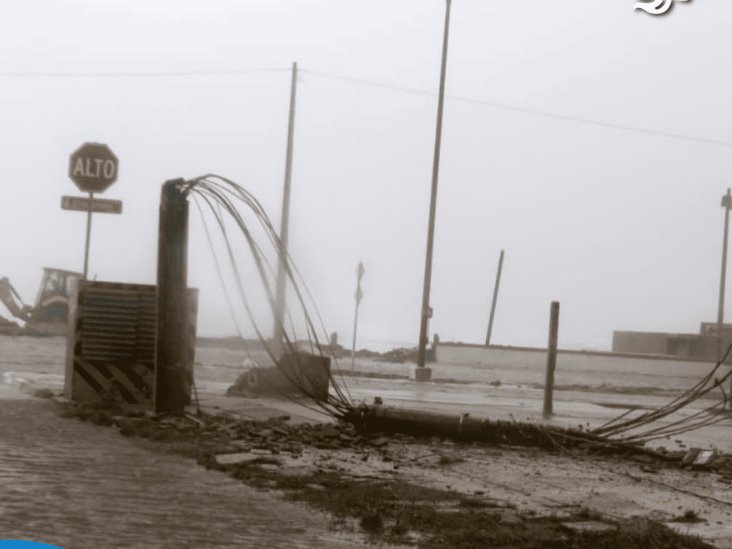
column 279, row 312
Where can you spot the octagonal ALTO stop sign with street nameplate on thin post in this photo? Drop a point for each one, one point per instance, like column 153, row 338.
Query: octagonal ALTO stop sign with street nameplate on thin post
column 93, row 167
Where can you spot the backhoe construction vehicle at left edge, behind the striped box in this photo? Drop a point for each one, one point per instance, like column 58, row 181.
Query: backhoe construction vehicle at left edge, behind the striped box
column 49, row 316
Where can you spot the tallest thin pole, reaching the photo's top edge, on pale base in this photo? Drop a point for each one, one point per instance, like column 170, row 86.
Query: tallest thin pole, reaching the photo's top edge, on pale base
column 426, row 312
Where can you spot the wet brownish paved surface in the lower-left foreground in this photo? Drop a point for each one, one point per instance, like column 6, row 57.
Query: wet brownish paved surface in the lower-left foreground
column 79, row 486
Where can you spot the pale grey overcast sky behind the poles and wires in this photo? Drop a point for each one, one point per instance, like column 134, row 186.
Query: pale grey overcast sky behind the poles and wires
column 624, row 228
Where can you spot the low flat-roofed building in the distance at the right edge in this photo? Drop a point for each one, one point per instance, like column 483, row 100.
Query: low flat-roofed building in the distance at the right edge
column 705, row 345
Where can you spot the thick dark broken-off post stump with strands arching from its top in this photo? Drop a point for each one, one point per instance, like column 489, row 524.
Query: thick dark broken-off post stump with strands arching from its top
column 172, row 381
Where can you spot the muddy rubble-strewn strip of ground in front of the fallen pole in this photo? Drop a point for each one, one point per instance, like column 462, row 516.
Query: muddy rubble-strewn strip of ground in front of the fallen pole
column 407, row 490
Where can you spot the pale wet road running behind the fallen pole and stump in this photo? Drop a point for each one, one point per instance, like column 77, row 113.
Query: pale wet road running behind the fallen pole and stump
column 496, row 393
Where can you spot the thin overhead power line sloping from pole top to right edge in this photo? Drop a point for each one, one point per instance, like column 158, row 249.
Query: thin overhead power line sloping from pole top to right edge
column 523, row 110
